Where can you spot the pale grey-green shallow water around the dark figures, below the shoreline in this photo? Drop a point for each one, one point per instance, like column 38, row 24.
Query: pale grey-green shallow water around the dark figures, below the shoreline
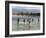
column 22, row 26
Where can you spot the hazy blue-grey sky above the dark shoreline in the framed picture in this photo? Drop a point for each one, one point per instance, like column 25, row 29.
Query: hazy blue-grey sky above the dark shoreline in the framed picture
column 26, row 9
